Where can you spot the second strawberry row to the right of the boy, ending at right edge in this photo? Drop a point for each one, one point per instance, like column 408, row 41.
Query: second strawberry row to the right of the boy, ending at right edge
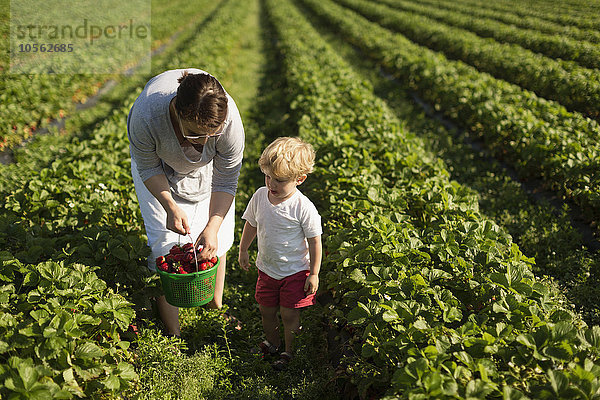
column 539, row 138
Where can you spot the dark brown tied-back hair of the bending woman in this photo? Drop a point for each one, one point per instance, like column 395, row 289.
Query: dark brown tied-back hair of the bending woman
column 201, row 98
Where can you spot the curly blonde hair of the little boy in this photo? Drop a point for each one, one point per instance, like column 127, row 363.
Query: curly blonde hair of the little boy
column 287, row 158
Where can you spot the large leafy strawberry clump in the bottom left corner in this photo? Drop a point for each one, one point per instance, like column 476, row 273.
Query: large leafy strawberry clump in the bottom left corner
column 61, row 332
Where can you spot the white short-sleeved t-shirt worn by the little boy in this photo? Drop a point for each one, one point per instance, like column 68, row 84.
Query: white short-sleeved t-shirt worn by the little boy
column 282, row 230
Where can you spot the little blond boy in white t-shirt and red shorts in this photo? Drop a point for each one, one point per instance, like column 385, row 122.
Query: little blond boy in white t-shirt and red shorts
column 288, row 227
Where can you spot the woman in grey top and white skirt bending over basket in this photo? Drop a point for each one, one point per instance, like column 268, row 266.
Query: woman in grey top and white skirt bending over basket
column 186, row 141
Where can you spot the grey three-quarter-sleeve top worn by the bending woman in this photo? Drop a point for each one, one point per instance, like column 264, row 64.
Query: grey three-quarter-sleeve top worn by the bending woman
column 192, row 175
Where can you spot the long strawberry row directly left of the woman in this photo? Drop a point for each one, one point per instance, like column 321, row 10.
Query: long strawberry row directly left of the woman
column 70, row 208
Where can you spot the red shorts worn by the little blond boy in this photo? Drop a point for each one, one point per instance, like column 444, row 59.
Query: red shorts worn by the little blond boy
column 287, row 292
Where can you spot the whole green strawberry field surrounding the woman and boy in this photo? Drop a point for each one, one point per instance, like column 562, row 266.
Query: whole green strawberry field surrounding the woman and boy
column 457, row 177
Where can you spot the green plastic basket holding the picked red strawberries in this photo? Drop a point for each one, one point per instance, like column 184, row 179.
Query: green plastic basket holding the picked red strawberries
column 189, row 290
